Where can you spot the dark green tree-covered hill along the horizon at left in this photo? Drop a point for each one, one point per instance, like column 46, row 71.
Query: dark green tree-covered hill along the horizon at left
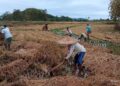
column 33, row 14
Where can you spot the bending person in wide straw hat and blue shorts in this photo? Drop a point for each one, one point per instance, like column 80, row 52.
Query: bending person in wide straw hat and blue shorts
column 74, row 46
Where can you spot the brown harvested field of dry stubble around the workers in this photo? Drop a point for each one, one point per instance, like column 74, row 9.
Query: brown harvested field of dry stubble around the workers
column 34, row 52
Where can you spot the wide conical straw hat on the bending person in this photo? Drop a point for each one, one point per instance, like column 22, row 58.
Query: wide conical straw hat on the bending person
column 67, row 40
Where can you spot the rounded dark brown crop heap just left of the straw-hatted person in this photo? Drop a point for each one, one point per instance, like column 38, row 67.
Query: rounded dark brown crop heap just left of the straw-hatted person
column 51, row 54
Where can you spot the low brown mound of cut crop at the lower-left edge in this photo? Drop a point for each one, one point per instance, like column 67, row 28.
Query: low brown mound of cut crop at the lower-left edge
column 13, row 69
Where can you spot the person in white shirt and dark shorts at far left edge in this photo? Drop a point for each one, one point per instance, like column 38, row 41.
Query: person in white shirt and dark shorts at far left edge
column 7, row 36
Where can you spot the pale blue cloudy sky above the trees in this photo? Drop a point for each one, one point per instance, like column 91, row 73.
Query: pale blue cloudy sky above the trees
column 94, row 9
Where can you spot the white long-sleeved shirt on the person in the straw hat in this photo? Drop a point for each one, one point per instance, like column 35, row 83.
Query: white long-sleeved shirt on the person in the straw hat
column 75, row 47
